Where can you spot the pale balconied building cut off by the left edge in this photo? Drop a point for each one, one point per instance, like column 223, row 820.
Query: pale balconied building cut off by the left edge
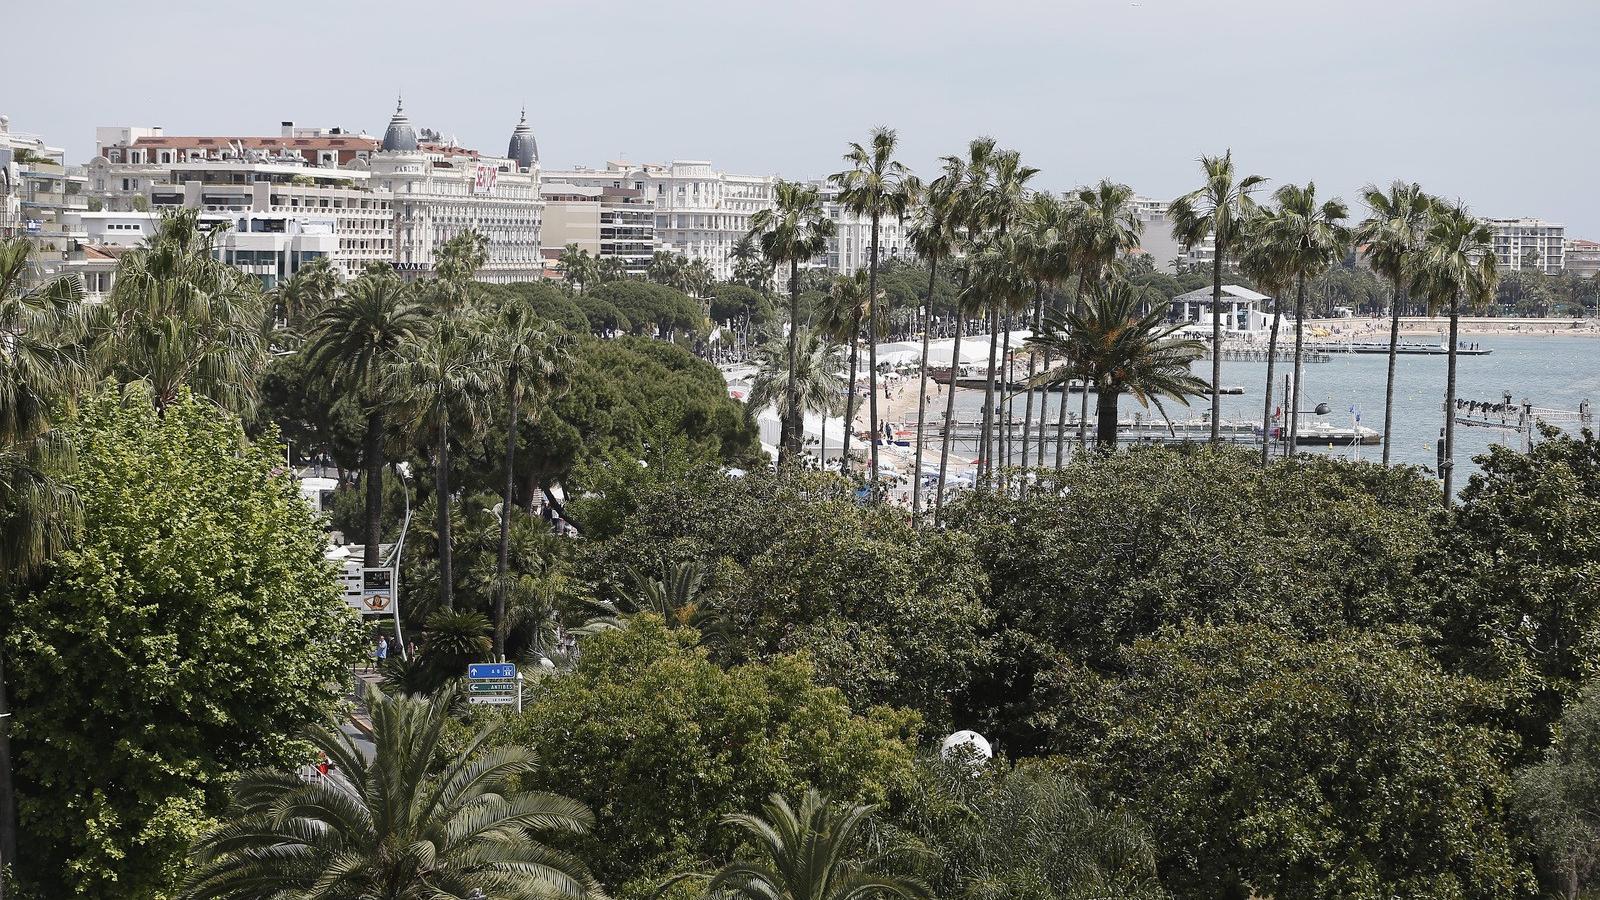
column 41, row 198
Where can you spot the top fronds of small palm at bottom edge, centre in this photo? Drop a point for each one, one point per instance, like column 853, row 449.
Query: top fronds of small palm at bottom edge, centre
column 807, row 854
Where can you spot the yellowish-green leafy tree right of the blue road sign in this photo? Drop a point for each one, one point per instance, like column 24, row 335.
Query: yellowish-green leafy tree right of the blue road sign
column 663, row 744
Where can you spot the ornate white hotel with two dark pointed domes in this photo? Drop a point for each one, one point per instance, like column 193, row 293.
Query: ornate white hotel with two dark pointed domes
column 441, row 191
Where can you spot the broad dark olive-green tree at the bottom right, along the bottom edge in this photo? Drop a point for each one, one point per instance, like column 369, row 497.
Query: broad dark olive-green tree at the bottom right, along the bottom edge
column 1346, row 768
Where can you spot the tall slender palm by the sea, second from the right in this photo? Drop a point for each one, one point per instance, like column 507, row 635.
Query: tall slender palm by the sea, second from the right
column 1393, row 238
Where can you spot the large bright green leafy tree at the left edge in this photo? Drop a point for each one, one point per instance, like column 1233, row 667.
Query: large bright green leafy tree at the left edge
column 188, row 635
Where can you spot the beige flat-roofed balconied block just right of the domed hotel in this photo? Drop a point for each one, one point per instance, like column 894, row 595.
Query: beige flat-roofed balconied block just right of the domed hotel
column 607, row 222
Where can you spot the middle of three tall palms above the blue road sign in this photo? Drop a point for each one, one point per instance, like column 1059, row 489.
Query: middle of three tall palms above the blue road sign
column 446, row 376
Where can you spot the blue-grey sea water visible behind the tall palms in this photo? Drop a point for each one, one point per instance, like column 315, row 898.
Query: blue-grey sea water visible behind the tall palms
column 1553, row 372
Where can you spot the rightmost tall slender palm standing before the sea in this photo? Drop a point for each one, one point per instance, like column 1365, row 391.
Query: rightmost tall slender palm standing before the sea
column 1457, row 265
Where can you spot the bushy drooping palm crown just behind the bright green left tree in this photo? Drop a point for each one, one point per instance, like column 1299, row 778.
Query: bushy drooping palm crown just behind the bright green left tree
column 180, row 318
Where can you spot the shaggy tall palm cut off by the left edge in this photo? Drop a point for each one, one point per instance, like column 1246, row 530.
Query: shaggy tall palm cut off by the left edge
column 41, row 366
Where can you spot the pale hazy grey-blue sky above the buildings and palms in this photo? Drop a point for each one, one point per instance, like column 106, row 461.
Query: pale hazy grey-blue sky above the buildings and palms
column 1492, row 102
